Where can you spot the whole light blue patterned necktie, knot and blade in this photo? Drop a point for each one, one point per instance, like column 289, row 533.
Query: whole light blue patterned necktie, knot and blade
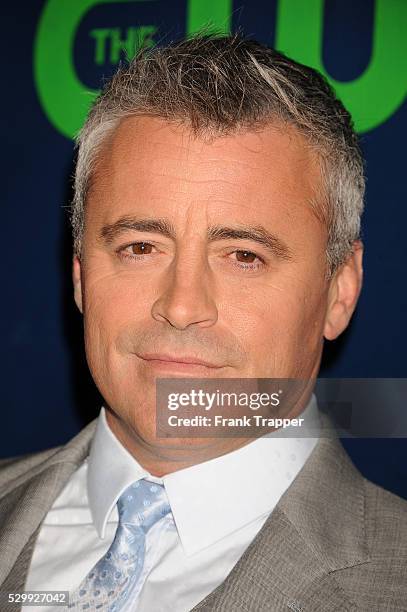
column 141, row 505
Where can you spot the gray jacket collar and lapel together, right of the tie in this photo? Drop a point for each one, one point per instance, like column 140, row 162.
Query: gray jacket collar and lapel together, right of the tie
column 316, row 529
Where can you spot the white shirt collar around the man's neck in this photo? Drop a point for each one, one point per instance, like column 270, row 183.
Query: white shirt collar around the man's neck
column 211, row 499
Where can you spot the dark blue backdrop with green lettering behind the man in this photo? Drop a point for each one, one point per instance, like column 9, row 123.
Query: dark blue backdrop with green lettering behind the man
column 55, row 55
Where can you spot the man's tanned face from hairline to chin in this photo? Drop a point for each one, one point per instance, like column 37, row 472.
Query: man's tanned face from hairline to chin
column 198, row 250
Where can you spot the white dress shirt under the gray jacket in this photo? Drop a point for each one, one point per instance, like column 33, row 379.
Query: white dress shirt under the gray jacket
column 217, row 508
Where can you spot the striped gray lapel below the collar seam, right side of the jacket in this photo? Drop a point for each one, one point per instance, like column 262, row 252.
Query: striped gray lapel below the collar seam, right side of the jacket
column 278, row 572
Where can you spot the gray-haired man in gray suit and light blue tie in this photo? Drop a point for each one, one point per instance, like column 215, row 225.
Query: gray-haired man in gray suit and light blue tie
column 218, row 195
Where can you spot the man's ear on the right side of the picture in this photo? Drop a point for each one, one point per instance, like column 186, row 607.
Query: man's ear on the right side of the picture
column 343, row 293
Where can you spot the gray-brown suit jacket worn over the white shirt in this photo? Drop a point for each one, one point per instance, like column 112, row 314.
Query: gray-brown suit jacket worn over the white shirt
column 335, row 541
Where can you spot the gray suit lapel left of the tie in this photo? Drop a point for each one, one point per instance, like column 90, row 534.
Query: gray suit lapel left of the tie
column 25, row 502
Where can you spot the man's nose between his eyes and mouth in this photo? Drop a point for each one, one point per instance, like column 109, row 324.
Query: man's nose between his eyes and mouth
column 187, row 297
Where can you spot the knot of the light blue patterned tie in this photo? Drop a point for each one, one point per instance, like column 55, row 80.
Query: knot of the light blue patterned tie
column 143, row 503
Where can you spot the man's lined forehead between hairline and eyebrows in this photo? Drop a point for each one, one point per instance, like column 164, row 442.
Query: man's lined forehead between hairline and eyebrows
column 149, row 161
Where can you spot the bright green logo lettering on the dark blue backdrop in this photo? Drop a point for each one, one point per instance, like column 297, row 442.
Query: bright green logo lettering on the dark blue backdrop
column 371, row 98
